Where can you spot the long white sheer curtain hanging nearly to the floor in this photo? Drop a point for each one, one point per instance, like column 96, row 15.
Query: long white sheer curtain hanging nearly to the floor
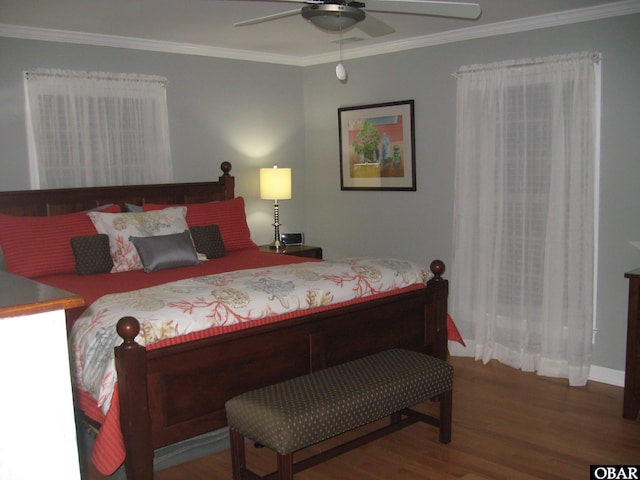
column 526, row 202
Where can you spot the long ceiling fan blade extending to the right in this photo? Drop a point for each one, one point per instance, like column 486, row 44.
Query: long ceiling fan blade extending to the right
column 426, row 7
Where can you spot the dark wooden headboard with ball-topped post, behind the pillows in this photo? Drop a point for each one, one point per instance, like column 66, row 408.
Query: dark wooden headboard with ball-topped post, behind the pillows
column 69, row 200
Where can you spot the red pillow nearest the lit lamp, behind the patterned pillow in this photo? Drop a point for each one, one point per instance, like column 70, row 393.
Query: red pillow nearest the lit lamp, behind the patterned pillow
column 229, row 215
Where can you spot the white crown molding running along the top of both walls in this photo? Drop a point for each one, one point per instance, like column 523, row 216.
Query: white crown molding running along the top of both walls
column 625, row 7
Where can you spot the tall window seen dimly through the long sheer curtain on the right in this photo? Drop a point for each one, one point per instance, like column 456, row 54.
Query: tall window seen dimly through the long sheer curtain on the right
column 527, row 137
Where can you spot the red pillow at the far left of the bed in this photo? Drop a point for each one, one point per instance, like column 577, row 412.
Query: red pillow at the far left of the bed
column 35, row 246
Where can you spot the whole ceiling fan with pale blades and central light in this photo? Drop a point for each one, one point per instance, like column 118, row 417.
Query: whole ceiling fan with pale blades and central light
column 337, row 15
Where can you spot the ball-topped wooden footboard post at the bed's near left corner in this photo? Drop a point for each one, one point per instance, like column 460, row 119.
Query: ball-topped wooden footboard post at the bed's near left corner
column 135, row 421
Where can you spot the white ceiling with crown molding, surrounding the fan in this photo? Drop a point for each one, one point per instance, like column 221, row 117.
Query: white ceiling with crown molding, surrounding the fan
column 205, row 27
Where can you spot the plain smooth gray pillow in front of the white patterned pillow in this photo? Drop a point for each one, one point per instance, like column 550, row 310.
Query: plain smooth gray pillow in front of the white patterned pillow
column 166, row 251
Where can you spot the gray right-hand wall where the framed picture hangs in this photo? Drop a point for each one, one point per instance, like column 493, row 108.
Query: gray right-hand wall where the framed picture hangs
column 418, row 225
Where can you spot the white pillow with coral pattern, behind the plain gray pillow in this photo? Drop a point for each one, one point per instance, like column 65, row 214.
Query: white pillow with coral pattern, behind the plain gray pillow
column 120, row 226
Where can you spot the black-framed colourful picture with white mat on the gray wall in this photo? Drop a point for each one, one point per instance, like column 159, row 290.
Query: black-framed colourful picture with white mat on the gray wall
column 377, row 147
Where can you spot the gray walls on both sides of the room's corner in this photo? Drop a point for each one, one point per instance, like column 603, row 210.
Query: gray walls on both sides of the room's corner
column 256, row 114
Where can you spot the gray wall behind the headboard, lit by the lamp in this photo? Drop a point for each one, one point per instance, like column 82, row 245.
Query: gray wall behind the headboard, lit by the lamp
column 245, row 112
